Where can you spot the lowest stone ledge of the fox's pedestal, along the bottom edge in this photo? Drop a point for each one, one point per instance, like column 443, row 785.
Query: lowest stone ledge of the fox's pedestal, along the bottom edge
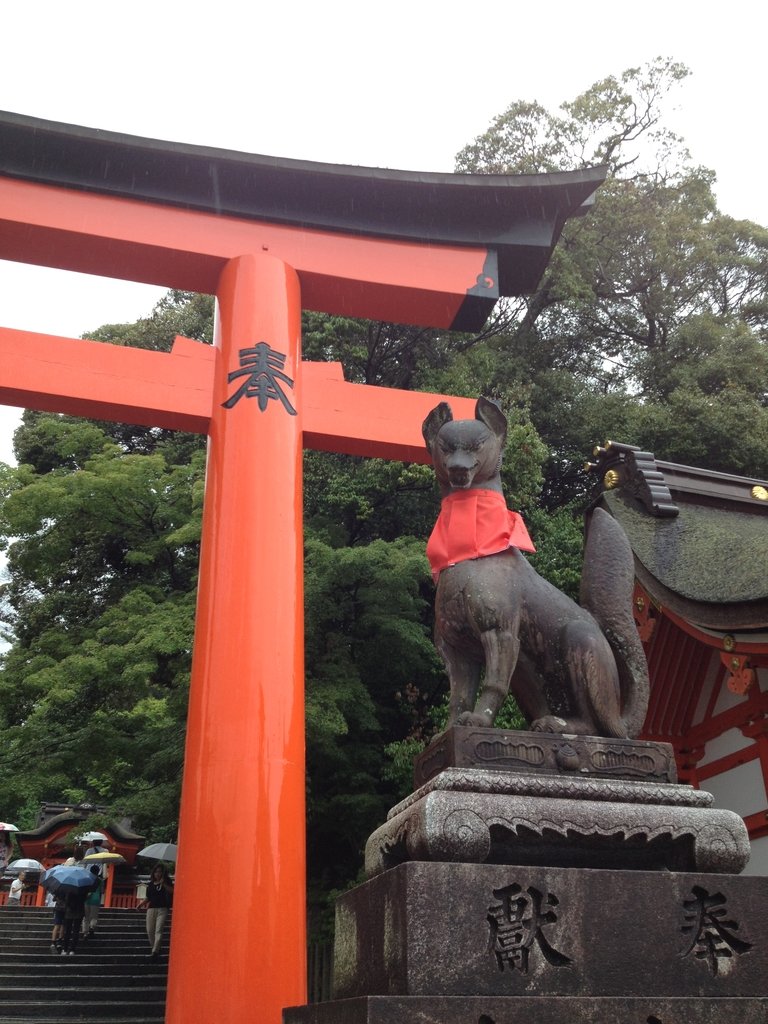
column 534, row 1010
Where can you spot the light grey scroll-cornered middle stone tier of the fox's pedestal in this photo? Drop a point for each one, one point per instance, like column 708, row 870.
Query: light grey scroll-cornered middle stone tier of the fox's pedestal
column 477, row 817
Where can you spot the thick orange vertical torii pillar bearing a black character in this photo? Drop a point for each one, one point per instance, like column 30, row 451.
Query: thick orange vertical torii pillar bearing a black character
column 238, row 950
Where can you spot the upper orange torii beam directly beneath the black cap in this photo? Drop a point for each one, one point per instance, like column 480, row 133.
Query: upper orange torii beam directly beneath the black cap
column 353, row 276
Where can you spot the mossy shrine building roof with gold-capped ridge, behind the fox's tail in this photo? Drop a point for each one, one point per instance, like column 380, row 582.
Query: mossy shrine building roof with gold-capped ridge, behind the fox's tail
column 700, row 538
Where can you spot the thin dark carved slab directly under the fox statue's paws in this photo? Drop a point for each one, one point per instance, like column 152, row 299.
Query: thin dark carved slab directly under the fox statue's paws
column 544, row 754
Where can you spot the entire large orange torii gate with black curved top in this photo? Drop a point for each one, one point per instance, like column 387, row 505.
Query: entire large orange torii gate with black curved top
column 268, row 237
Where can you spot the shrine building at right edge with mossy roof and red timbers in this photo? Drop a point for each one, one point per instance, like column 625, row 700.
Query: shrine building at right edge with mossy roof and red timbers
column 701, row 546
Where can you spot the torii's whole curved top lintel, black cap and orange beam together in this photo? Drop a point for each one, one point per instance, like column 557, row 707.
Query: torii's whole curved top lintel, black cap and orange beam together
column 434, row 250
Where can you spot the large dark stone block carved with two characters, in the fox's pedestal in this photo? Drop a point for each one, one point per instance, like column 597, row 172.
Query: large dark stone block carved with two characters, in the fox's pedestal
column 459, row 930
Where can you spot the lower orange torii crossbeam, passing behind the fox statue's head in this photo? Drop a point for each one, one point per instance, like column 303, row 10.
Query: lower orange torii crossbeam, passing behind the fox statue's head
column 174, row 391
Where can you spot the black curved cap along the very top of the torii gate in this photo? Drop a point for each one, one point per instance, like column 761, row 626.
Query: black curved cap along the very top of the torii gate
column 519, row 218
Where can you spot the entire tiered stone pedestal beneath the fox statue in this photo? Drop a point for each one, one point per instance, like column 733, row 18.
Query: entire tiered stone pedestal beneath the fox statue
column 554, row 880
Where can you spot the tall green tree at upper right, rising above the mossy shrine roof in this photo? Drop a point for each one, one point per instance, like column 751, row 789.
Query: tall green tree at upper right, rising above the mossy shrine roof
column 651, row 318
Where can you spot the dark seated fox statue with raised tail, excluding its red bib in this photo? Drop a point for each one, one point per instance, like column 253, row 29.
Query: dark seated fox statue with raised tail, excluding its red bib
column 573, row 668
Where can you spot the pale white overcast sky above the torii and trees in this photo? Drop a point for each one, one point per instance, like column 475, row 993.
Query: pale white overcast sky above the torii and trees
column 402, row 84
